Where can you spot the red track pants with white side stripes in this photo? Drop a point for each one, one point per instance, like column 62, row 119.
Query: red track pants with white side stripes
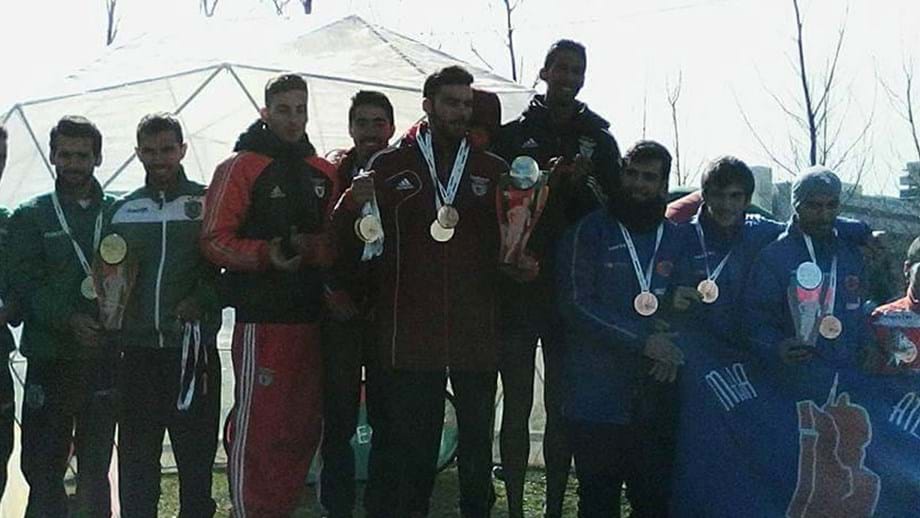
column 276, row 421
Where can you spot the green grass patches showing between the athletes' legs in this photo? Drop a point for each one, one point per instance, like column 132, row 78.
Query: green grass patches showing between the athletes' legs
column 443, row 502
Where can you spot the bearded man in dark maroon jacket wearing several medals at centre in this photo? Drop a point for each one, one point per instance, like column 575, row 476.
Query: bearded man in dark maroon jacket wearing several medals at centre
column 433, row 286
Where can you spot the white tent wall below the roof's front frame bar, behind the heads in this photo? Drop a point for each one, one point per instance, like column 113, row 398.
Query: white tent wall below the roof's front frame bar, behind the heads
column 212, row 121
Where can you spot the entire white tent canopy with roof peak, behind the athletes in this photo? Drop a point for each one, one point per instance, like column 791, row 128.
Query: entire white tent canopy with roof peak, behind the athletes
column 214, row 83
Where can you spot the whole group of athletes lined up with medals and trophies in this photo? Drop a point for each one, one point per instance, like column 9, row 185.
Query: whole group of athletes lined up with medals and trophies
column 378, row 270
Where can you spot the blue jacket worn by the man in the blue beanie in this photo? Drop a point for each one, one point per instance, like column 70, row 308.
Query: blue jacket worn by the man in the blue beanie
column 773, row 288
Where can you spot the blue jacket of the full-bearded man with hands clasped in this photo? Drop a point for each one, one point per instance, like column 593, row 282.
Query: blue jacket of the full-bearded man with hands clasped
column 606, row 375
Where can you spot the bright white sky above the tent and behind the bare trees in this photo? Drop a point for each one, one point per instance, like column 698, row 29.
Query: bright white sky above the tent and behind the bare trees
column 730, row 53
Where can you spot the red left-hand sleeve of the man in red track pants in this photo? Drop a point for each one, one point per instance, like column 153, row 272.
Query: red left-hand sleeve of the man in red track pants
column 226, row 205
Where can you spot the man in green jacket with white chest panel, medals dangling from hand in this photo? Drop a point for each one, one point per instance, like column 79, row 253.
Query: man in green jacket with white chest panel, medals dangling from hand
column 170, row 373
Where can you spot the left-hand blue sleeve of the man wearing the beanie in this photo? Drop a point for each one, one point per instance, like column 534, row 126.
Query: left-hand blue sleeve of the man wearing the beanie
column 765, row 306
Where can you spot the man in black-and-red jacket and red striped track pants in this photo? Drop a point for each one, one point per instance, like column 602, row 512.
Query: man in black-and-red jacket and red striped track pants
column 265, row 224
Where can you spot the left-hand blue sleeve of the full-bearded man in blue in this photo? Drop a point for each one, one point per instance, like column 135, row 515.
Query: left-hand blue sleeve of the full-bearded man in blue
column 580, row 281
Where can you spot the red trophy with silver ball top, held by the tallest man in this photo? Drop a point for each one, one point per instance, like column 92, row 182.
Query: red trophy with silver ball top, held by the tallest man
column 521, row 199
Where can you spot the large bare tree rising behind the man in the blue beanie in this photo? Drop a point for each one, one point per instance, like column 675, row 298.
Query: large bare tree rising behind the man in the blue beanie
column 821, row 121
